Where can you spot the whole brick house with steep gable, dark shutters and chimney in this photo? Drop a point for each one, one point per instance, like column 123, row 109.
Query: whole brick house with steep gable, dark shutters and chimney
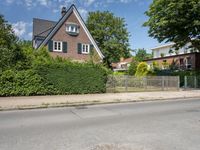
column 67, row 38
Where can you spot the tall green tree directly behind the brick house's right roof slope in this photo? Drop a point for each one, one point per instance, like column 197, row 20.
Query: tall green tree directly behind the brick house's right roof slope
column 111, row 35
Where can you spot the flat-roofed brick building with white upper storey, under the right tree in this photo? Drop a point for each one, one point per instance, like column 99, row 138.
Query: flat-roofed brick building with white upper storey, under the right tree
column 183, row 59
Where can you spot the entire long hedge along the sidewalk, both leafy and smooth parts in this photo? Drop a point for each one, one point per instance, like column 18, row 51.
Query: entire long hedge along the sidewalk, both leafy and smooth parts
column 54, row 78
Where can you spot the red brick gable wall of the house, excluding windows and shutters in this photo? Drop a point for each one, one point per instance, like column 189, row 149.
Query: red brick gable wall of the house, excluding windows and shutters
column 72, row 41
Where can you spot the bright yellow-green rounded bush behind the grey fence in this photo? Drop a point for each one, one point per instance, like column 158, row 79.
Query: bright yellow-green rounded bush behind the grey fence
column 142, row 69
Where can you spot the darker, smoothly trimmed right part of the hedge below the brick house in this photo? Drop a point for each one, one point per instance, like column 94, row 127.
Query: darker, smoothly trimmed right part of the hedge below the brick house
column 74, row 78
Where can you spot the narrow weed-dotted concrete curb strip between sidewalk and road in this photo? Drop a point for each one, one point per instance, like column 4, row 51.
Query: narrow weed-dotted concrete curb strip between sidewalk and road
column 87, row 103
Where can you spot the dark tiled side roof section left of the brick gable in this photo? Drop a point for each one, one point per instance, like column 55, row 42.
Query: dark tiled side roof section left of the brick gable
column 42, row 27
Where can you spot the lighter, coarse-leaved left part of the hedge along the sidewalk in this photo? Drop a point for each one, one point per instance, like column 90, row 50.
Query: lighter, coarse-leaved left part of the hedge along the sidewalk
column 26, row 82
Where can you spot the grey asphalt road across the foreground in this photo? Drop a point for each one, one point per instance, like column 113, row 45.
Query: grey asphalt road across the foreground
column 168, row 125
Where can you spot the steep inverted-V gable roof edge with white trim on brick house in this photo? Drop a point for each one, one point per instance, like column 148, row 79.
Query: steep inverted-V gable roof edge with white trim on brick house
column 62, row 20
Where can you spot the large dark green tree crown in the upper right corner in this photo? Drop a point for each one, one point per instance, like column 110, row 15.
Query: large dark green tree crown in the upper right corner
column 175, row 21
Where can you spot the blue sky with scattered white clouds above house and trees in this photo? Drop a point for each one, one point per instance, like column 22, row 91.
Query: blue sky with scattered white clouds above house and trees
column 21, row 12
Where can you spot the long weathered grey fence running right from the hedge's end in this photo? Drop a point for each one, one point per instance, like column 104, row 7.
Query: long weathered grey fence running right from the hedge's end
column 124, row 83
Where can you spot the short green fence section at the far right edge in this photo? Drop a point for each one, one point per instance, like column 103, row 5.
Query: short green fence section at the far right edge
column 191, row 82
